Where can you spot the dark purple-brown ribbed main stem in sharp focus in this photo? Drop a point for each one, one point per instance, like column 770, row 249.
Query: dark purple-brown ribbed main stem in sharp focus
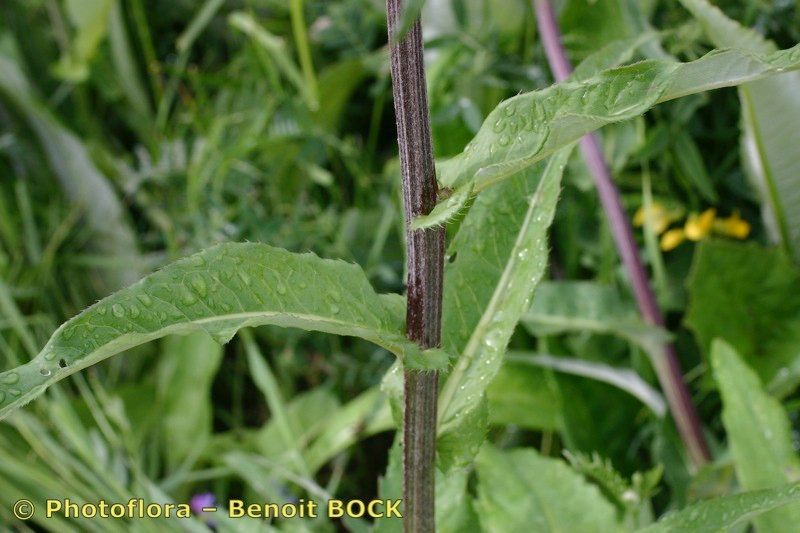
column 425, row 262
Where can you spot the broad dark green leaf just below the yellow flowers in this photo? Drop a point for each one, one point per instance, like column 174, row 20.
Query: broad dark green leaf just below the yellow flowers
column 749, row 296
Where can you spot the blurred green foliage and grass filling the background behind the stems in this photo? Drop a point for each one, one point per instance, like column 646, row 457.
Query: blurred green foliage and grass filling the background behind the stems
column 136, row 133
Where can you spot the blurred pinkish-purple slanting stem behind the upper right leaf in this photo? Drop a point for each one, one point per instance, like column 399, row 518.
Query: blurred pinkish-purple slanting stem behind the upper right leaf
column 667, row 366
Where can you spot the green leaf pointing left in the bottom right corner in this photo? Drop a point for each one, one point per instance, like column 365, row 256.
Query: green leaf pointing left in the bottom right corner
column 723, row 513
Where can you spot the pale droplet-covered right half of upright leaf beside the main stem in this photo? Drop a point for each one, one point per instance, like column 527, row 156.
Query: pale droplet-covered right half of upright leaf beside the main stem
column 461, row 400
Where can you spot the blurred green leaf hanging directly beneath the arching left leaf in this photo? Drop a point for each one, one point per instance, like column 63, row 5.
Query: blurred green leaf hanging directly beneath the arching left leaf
column 186, row 370
